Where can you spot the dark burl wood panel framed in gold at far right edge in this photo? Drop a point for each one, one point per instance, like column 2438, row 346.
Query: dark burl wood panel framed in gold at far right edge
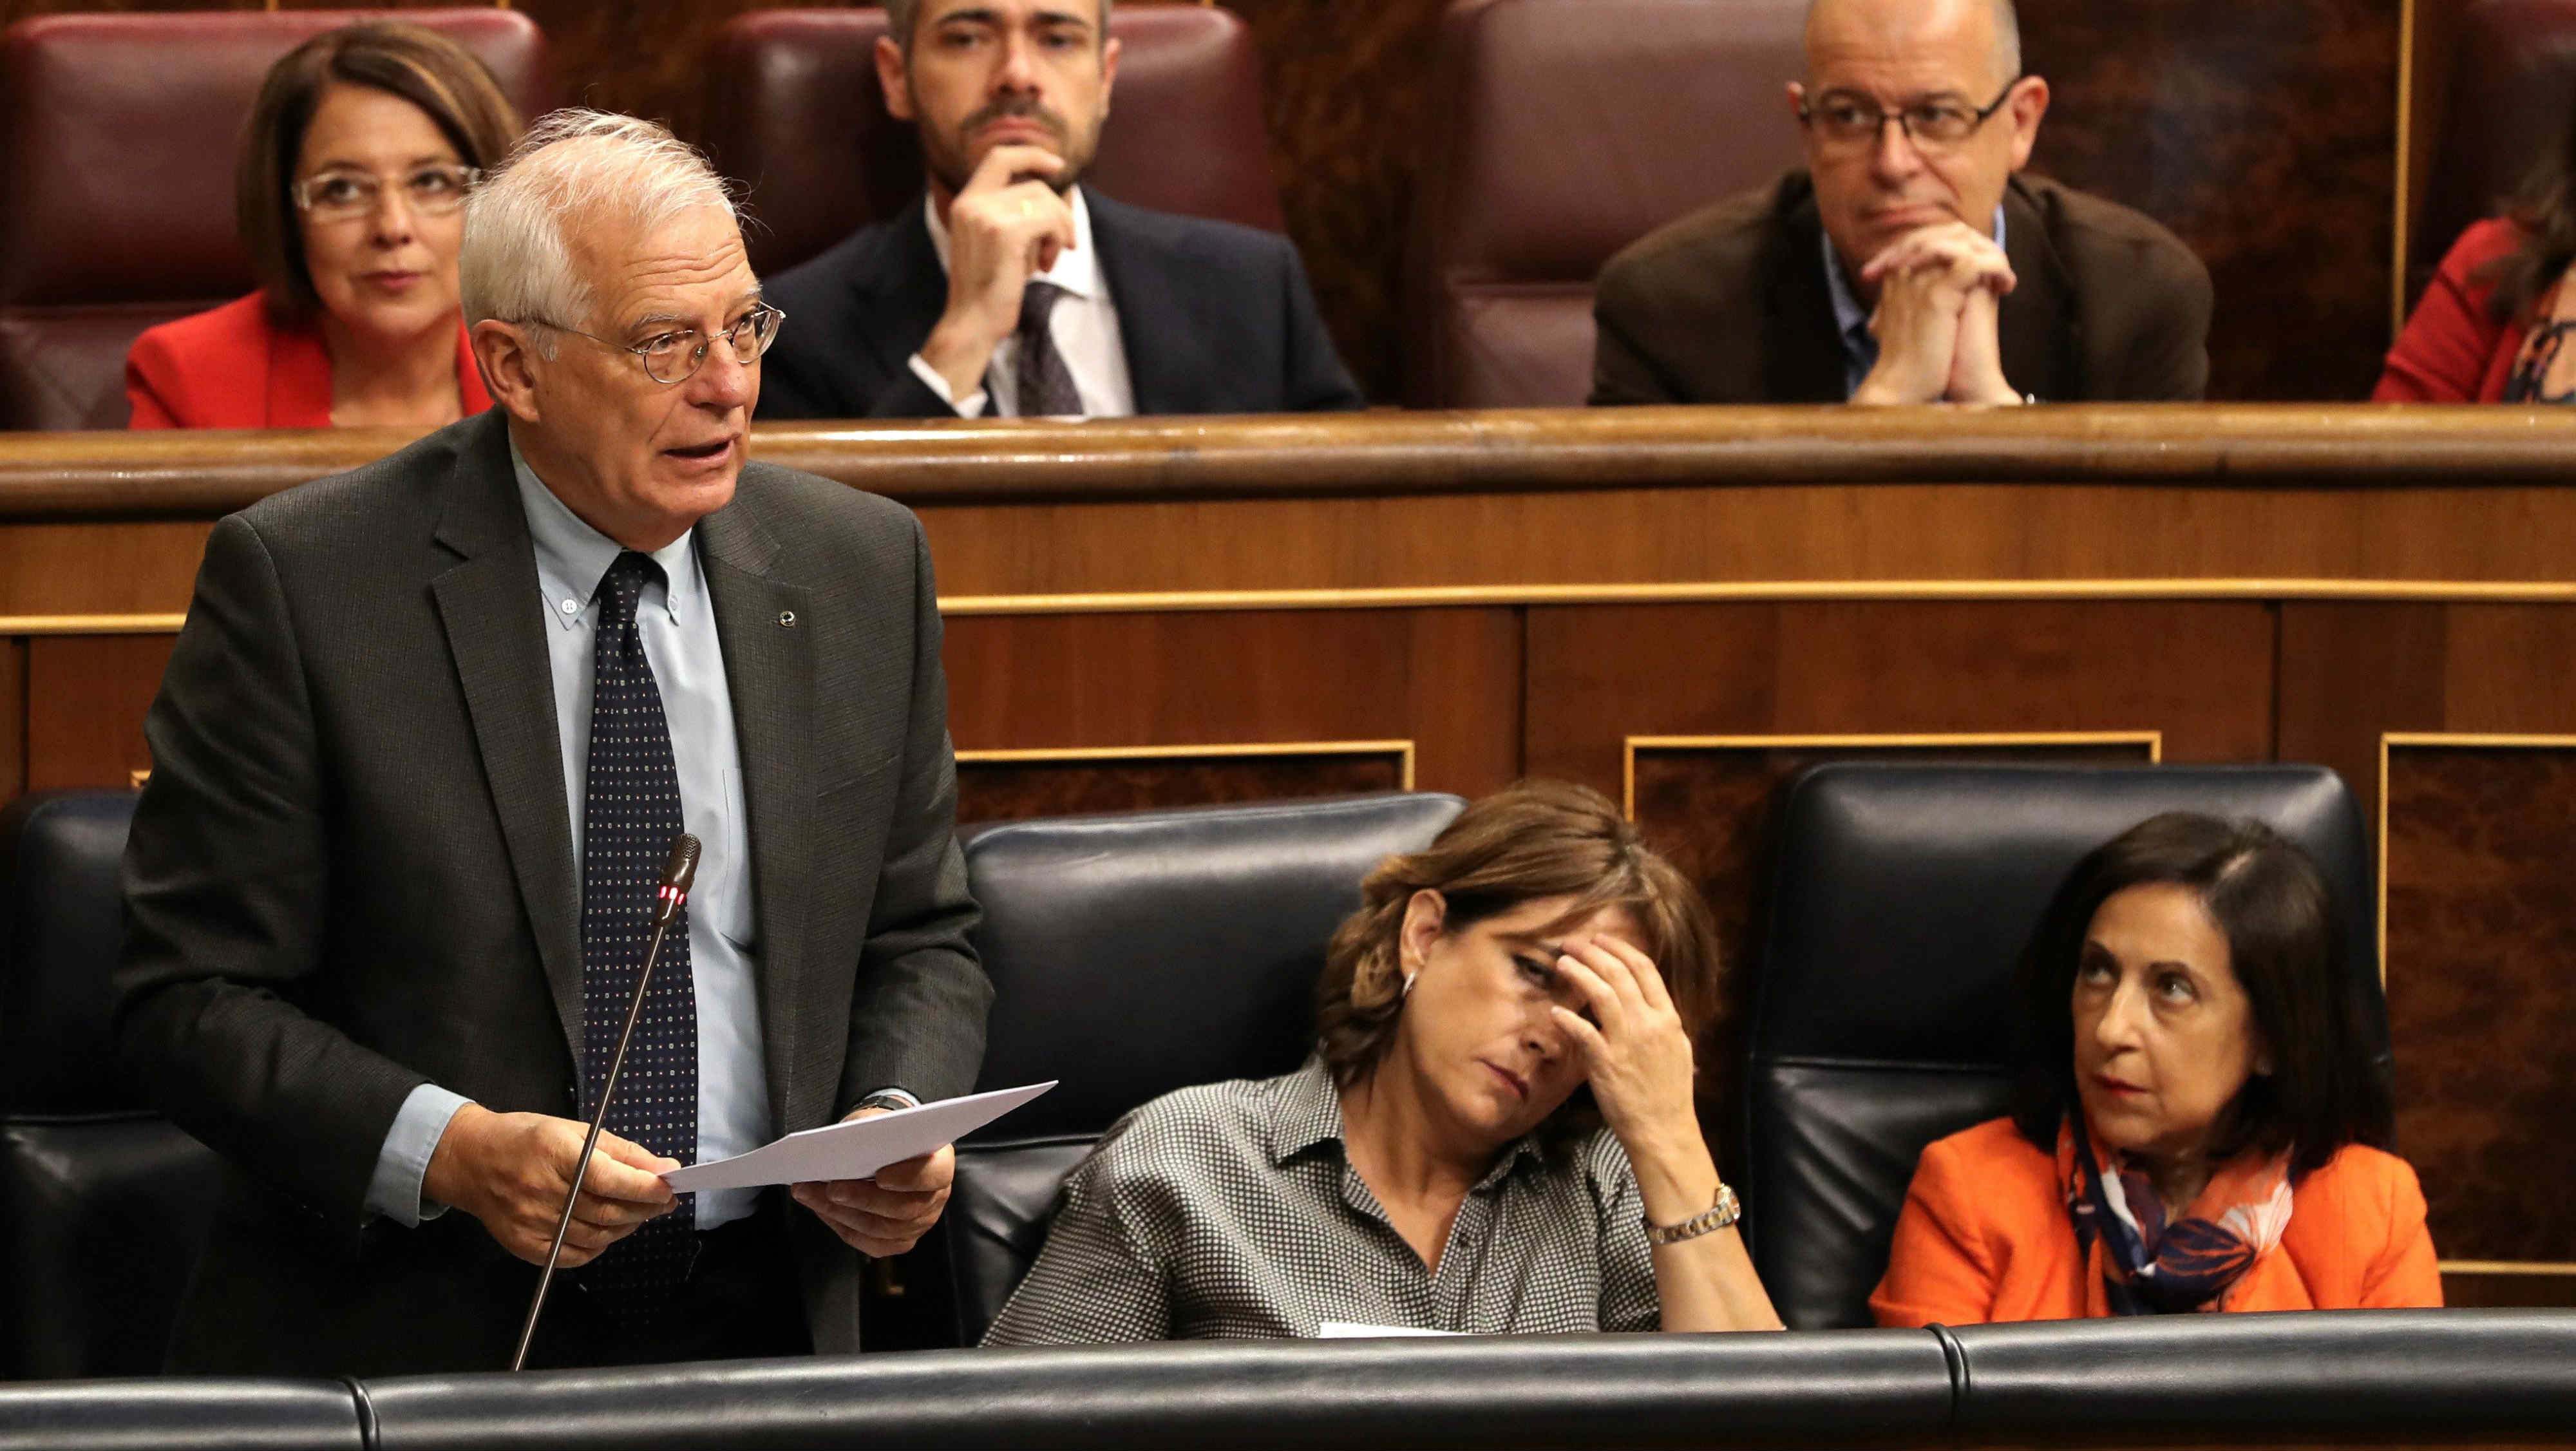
column 2482, row 991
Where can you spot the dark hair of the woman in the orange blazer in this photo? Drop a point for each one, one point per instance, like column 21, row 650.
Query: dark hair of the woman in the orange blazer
column 2289, row 955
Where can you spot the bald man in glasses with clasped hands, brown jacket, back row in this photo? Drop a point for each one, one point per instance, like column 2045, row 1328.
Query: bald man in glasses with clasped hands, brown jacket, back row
column 1908, row 262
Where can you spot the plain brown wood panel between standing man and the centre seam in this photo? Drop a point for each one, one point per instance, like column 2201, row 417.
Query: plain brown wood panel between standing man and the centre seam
column 1444, row 679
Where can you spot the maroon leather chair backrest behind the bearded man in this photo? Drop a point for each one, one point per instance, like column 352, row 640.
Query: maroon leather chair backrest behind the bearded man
column 797, row 117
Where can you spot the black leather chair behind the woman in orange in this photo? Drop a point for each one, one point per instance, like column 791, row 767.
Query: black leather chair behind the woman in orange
column 1900, row 906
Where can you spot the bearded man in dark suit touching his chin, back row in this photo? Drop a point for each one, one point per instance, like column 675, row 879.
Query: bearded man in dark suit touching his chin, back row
column 1014, row 290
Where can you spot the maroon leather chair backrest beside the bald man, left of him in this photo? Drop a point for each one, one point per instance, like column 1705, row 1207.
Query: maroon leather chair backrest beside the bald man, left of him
column 1555, row 135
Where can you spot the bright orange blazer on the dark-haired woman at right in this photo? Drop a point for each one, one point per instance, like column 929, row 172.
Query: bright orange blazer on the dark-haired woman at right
column 1985, row 1236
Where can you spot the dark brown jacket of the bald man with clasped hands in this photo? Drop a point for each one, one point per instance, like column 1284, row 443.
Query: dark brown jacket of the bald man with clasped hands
column 1730, row 305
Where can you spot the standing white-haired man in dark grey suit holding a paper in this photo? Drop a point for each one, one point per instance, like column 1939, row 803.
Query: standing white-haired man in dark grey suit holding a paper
column 419, row 756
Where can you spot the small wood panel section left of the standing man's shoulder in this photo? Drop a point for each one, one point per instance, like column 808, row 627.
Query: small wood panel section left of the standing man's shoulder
column 86, row 707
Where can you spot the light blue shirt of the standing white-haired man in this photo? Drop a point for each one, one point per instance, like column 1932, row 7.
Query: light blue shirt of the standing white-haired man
column 679, row 628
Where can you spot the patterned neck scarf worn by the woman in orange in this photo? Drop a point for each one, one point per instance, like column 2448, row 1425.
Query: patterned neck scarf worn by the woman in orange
column 2191, row 1264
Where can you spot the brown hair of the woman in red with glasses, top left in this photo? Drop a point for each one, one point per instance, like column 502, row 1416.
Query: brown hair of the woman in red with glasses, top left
column 406, row 61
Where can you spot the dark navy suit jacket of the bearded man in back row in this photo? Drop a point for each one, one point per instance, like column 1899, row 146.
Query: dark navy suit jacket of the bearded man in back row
column 1215, row 318
